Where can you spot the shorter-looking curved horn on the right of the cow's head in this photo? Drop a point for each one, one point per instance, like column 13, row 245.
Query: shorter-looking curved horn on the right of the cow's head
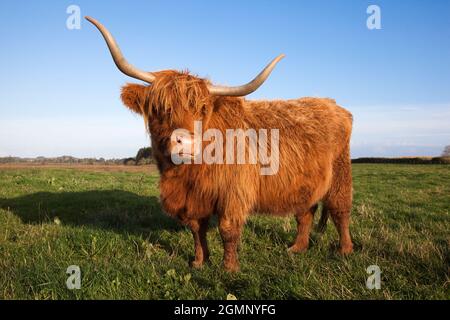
column 246, row 88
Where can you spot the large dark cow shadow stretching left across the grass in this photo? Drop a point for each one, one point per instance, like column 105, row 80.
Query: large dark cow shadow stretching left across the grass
column 116, row 210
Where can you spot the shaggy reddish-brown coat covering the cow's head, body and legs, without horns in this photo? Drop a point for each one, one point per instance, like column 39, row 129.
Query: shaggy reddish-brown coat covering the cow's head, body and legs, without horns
column 314, row 161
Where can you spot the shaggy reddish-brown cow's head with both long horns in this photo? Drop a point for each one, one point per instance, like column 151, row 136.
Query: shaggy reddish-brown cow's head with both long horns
column 173, row 100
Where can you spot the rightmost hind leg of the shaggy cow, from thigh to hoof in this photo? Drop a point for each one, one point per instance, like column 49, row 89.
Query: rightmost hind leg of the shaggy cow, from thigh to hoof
column 339, row 201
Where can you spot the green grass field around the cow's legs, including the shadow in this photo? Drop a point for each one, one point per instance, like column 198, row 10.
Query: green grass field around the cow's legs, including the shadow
column 111, row 225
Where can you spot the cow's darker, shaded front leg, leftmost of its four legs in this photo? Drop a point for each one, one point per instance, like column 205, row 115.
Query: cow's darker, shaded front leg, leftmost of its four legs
column 199, row 229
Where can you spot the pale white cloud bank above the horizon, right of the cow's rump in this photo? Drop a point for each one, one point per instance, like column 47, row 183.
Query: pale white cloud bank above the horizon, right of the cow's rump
column 400, row 130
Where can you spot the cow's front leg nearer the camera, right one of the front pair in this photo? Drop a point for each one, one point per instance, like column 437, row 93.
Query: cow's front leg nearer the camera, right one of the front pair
column 230, row 232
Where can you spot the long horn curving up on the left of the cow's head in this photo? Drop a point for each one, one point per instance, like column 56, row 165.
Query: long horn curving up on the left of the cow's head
column 118, row 57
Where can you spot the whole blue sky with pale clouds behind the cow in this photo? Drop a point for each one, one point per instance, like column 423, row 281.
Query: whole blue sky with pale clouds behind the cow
column 60, row 89
